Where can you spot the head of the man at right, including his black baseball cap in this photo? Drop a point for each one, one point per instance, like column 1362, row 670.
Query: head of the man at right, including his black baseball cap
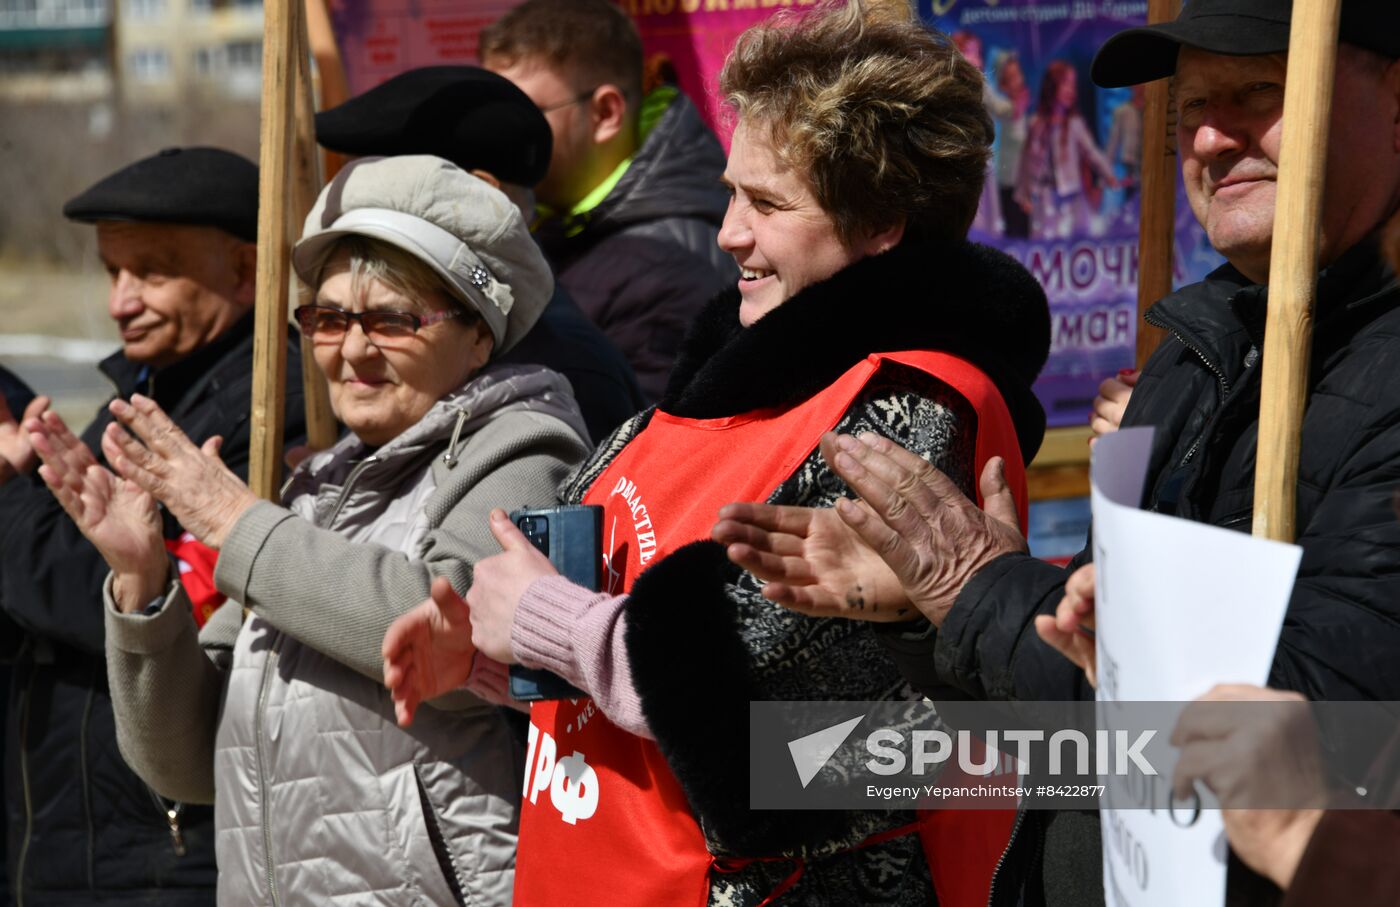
column 1227, row 59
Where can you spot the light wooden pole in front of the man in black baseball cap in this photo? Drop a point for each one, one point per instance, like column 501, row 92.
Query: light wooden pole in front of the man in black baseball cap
column 1293, row 272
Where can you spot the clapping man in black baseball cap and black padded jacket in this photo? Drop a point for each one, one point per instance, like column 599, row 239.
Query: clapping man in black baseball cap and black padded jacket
column 1200, row 390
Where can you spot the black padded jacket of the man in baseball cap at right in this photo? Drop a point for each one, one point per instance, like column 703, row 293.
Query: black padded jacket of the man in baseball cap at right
column 1200, row 391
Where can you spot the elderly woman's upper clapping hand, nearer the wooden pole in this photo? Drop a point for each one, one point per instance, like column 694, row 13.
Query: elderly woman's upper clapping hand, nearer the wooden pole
column 192, row 482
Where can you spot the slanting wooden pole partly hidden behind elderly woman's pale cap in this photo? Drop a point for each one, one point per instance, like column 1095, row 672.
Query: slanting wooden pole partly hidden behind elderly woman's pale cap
column 306, row 185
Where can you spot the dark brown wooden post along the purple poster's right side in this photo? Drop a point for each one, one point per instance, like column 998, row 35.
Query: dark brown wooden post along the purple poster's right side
column 1157, row 206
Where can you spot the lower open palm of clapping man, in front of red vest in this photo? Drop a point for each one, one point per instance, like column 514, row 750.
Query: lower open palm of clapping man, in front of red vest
column 811, row 562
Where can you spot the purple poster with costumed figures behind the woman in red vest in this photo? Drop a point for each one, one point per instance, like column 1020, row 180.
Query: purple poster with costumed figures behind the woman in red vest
column 1062, row 192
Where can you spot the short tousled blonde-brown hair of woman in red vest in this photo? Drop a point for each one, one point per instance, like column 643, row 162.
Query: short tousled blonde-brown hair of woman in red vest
column 883, row 115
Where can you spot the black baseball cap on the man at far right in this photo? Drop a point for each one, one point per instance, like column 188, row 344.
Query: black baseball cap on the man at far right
column 1234, row 29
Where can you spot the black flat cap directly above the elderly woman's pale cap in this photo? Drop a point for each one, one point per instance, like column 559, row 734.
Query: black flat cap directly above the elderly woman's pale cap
column 471, row 117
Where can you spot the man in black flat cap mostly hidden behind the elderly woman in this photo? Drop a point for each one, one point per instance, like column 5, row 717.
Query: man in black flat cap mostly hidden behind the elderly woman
column 489, row 128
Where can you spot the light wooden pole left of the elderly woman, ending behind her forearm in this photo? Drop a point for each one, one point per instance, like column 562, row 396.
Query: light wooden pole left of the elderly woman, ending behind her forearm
column 282, row 31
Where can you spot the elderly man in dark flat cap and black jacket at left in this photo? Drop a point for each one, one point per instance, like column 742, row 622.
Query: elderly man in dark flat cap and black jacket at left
column 177, row 236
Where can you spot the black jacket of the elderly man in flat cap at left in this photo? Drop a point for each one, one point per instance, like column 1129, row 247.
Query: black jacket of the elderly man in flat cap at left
column 82, row 827
